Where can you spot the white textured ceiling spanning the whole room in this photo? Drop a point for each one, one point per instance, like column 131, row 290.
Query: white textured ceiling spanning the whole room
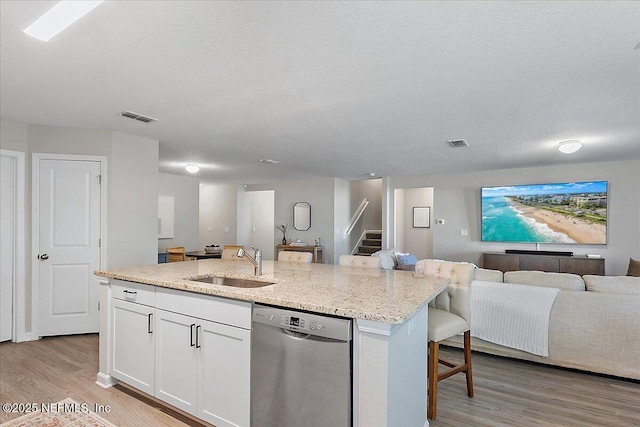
column 337, row 89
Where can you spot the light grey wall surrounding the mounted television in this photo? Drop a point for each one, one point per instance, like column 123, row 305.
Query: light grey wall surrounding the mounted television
column 457, row 200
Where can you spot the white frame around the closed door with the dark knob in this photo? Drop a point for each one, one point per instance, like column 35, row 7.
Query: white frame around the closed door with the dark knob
column 35, row 225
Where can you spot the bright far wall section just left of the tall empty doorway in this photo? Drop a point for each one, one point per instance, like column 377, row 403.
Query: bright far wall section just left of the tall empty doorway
column 218, row 207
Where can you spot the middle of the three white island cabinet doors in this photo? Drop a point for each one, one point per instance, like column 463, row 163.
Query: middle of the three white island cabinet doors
column 176, row 360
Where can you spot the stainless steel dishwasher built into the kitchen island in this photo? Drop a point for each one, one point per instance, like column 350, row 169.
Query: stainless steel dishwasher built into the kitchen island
column 300, row 369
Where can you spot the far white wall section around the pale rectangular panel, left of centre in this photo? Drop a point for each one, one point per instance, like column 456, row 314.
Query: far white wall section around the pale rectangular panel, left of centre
column 185, row 191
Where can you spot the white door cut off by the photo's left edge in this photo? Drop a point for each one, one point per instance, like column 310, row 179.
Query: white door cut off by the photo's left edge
column 7, row 245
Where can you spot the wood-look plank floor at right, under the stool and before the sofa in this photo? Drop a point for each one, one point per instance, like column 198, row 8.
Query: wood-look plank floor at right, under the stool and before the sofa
column 515, row 393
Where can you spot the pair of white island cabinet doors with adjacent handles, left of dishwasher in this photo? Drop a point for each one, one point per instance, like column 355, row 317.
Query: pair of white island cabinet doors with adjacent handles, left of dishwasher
column 202, row 367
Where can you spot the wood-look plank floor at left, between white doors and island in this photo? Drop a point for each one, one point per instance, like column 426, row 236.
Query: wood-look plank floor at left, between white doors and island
column 52, row 369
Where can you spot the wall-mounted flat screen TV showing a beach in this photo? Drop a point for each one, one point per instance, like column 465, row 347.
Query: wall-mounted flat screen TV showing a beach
column 566, row 212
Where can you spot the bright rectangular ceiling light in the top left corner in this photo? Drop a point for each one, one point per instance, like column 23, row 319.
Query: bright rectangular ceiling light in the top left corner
column 59, row 17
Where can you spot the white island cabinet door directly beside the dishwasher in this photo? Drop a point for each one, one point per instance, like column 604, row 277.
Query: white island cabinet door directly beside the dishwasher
column 224, row 374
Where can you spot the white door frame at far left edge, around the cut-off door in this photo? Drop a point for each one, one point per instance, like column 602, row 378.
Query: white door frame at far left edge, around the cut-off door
column 18, row 333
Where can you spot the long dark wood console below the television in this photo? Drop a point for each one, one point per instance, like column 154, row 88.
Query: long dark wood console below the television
column 552, row 263
